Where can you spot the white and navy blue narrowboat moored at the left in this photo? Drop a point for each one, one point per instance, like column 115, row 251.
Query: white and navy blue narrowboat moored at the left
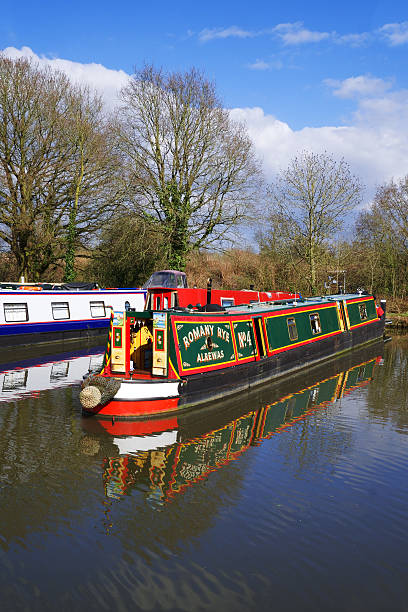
column 46, row 313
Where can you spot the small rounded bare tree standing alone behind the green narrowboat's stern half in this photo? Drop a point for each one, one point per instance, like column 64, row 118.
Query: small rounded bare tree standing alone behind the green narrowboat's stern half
column 309, row 201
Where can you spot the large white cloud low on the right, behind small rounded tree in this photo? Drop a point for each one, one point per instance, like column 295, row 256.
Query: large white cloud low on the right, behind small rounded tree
column 375, row 145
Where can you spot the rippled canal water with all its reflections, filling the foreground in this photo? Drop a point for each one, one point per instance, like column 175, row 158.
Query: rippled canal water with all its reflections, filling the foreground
column 291, row 497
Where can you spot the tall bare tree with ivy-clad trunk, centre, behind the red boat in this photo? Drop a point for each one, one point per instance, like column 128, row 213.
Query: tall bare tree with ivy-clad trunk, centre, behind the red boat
column 191, row 168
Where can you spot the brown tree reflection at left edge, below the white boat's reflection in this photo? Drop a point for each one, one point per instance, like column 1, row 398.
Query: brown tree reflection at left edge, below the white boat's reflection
column 43, row 478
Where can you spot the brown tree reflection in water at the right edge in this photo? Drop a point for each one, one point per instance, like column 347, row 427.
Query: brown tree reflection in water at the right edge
column 388, row 398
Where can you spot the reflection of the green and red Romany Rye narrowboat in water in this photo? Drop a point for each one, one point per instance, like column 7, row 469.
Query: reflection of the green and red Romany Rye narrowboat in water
column 165, row 456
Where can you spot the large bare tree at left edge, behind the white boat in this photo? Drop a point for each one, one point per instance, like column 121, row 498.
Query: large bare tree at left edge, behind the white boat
column 52, row 151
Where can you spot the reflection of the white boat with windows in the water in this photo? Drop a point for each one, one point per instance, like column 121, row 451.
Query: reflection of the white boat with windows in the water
column 30, row 376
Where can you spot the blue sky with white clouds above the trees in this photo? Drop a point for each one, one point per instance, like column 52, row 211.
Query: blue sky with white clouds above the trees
column 317, row 76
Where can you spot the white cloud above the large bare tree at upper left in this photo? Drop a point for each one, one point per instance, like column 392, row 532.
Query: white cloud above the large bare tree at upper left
column 106, row 81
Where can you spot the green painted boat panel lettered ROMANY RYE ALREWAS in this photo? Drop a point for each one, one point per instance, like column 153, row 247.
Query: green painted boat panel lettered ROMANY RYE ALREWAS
column 203, row 345
